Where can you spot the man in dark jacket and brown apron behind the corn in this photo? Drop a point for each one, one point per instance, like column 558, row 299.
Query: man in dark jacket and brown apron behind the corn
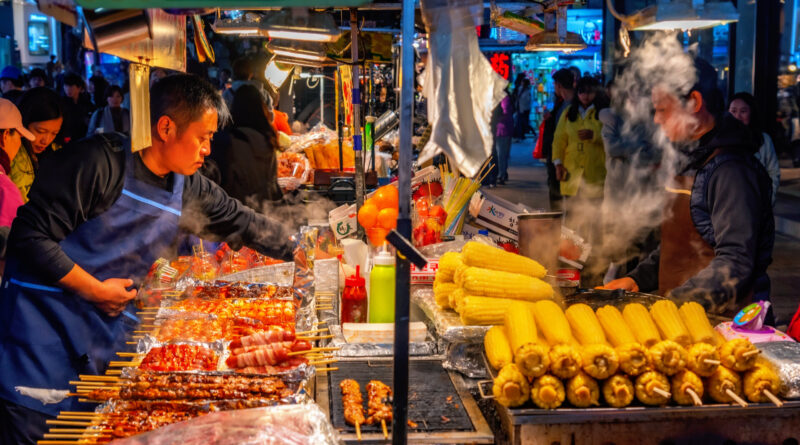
column 718, row 231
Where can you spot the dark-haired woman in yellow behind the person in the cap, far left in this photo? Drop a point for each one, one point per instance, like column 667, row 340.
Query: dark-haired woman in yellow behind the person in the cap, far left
column 42, row 115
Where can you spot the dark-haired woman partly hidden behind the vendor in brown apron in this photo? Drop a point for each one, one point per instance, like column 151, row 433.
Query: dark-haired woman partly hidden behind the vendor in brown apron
column 743, row 107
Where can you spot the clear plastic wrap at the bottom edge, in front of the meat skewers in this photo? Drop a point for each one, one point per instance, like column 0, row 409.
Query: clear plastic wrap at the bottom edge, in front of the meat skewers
column 286, row 425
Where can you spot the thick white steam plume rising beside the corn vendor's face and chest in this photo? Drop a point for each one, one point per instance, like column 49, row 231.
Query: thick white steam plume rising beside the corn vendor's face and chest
column 634, row 192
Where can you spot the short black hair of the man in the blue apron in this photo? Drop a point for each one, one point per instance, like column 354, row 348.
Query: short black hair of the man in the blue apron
column 184, row 98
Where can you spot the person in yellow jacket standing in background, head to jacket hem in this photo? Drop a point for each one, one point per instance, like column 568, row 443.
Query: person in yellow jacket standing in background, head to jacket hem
column 578, row 146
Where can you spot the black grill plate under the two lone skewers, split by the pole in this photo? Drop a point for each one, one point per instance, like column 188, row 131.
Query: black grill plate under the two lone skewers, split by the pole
column 429, row 389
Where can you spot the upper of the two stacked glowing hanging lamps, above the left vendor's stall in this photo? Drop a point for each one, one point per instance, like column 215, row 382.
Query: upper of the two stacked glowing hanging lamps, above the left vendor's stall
column 301, row 24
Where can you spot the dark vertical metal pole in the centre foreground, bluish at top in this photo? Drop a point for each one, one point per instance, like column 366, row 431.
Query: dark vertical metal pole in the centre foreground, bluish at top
column 403, row 269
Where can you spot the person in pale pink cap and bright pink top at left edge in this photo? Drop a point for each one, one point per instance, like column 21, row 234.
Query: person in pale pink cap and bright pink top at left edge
column 11, row 133
